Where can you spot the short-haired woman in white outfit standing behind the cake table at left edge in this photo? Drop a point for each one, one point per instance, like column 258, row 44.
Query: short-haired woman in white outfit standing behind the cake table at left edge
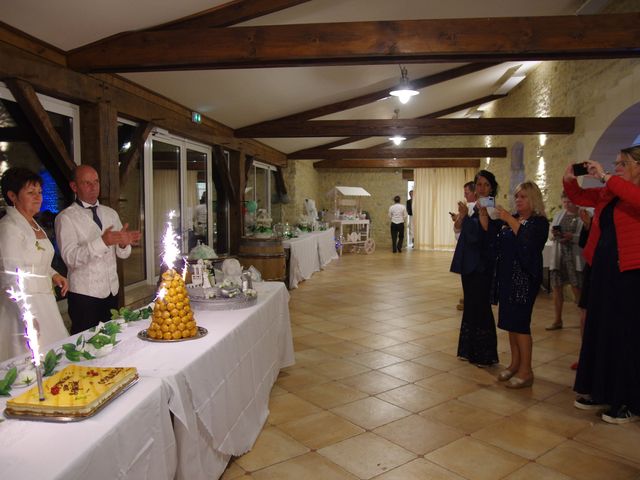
column 24, row 245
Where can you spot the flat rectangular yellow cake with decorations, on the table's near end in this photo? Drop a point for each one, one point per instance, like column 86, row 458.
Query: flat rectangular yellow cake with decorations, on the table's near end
column 76, row 391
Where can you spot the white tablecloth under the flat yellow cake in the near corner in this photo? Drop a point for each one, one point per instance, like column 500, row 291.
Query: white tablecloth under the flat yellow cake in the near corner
column 131, row 437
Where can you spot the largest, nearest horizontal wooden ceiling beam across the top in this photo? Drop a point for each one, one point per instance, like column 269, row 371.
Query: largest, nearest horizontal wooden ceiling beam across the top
column 462, row 40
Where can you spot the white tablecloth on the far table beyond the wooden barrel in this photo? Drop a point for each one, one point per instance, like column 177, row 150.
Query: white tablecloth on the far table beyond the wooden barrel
column 309, row 253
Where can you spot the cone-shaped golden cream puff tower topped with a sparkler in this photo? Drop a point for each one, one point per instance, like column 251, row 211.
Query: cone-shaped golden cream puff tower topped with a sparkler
column 172, row 316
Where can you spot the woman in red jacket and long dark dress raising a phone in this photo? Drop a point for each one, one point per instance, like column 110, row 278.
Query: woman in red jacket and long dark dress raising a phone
column 608, row 375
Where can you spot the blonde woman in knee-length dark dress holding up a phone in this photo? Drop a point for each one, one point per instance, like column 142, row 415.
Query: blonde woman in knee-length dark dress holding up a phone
column 519, row 275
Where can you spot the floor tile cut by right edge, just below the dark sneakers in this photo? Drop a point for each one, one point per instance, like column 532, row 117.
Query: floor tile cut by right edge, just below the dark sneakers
column 621, row 440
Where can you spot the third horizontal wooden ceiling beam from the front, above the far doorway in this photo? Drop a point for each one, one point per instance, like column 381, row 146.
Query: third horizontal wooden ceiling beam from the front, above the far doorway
column 399, row 152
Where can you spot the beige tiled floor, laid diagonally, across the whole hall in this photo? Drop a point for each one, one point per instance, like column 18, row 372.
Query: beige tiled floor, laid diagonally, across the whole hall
column 377, row 390
